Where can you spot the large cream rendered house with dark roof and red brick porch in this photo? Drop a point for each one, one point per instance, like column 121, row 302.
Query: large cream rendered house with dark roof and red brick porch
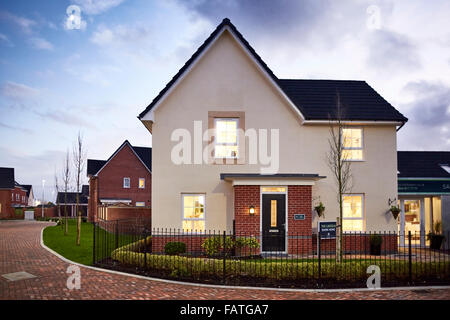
column 225, row 98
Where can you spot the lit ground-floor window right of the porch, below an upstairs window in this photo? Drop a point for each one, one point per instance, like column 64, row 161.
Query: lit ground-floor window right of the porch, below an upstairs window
column 352, row 219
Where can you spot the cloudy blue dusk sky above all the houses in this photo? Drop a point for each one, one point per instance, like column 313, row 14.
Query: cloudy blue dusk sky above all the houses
column 56, row 81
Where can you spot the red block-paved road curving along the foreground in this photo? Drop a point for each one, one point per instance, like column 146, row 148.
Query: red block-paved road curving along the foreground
column 20, row 250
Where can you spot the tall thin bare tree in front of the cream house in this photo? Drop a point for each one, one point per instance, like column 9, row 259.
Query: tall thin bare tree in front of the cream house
column 340, row 168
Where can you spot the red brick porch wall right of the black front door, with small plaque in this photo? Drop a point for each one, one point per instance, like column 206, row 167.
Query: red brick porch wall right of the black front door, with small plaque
column 299, row 231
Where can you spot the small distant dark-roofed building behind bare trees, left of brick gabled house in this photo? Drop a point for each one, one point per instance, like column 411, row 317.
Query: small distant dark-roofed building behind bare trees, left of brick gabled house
column 68, row 201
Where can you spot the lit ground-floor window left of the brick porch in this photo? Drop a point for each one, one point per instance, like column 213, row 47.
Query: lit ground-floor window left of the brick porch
column 193, row 212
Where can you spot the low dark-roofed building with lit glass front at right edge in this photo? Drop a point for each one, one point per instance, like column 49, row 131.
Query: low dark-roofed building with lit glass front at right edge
column 424, row 193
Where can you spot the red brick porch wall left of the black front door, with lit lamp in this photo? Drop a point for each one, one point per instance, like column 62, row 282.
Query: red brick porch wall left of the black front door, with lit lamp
column 244, row 197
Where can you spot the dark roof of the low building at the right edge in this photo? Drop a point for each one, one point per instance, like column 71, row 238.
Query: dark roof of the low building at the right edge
column 423, row 164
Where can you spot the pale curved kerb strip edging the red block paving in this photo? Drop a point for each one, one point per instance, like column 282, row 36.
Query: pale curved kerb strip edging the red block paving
column 235, row 287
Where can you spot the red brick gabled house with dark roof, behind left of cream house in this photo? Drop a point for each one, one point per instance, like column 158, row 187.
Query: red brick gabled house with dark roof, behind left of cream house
column 125, row 178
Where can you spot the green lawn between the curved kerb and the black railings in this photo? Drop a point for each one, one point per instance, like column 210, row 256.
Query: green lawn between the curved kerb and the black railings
column 55, row 239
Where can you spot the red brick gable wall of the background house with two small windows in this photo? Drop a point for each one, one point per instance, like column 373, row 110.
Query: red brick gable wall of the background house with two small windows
column 125, row 164
